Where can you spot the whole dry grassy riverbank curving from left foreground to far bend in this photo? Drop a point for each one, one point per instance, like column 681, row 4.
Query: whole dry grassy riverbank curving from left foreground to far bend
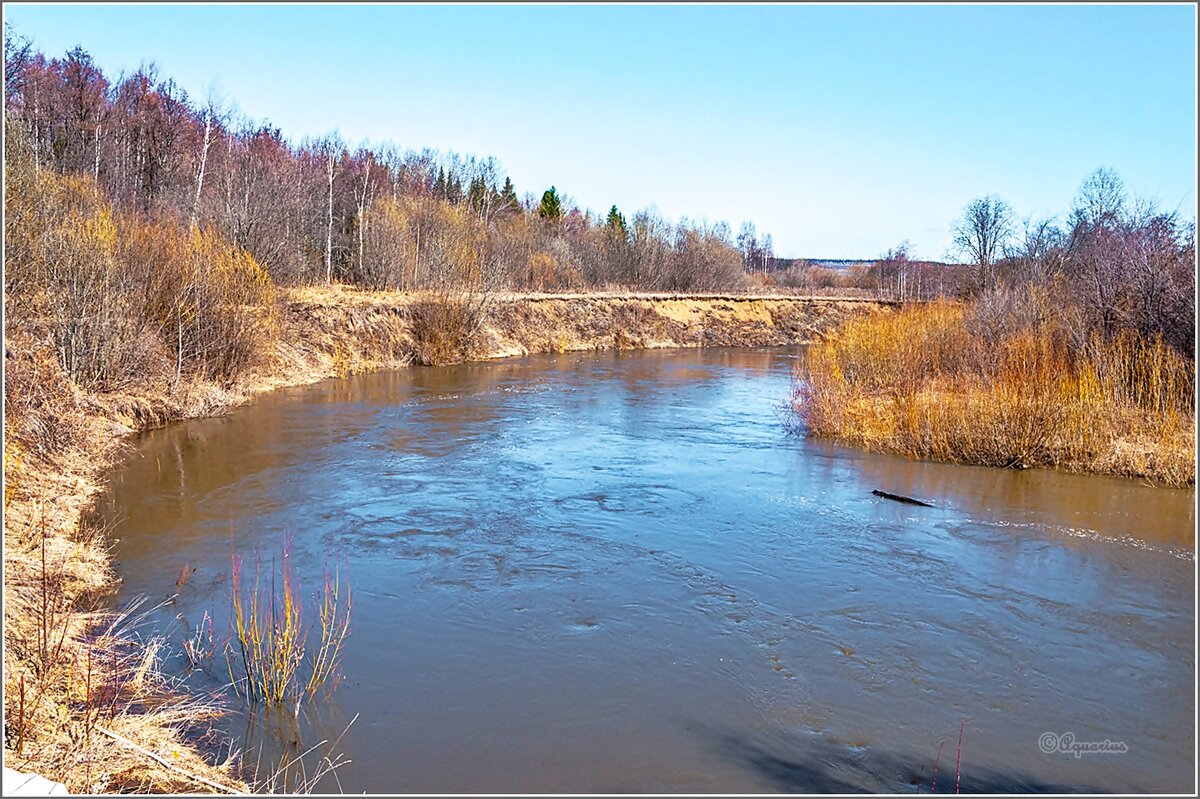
column 74, row 678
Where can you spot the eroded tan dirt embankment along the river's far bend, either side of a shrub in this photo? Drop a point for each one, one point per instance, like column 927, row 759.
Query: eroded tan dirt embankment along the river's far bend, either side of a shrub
column 345, row 332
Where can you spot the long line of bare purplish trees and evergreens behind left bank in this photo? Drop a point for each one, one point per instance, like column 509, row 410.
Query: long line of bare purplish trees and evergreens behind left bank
column 321, row 211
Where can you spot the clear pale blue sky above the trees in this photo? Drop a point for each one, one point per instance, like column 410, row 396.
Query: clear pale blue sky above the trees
column 842, row 130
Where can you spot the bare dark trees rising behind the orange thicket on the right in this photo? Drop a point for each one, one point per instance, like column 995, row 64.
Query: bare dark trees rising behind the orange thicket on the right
column 1114, row 265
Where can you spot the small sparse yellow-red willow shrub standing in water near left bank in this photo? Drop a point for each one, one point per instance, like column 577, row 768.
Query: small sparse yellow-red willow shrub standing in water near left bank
column 273, row 639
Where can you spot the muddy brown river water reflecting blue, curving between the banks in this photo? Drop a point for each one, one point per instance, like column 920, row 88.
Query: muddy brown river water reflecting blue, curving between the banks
column 611, row 573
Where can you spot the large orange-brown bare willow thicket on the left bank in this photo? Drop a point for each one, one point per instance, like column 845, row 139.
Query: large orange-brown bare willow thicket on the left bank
column 115, row 295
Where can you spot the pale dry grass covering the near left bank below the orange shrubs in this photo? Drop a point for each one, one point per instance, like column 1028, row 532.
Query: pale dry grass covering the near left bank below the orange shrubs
column 76, row 678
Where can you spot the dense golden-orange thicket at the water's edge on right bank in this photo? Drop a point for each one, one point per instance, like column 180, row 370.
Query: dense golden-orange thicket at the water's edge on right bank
column 928, row 383
